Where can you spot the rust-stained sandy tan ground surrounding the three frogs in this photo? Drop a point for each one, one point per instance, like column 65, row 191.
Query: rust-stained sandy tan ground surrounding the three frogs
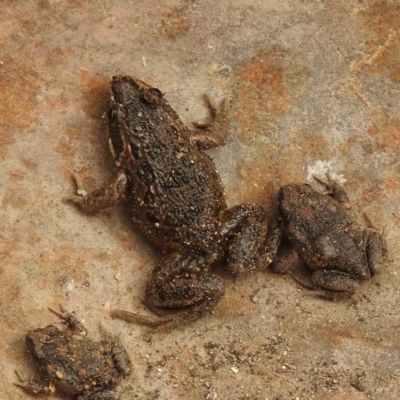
column 314, row 88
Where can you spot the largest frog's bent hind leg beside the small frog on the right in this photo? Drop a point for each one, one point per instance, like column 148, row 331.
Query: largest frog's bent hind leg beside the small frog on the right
column 245, row 227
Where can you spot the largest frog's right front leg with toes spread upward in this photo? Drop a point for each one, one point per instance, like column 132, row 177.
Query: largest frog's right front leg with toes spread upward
column 216, row 129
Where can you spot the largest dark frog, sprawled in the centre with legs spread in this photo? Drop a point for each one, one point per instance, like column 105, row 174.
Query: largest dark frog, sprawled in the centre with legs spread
column 177, row 199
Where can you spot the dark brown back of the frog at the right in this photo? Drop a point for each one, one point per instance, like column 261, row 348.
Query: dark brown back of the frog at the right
column 320, row 228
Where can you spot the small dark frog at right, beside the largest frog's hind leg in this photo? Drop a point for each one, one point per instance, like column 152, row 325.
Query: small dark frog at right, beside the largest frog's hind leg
column 324, row 236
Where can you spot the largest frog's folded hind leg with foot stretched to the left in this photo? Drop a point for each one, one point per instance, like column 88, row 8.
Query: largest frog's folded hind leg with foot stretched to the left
column 180, row 281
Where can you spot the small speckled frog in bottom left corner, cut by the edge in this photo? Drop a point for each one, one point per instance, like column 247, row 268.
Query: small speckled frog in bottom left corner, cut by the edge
column 74, row 364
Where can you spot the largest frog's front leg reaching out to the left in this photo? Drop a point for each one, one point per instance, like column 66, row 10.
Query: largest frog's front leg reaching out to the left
column 102, row 198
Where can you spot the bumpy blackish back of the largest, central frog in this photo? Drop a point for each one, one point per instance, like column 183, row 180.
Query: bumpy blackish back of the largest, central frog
column 176, row 194
